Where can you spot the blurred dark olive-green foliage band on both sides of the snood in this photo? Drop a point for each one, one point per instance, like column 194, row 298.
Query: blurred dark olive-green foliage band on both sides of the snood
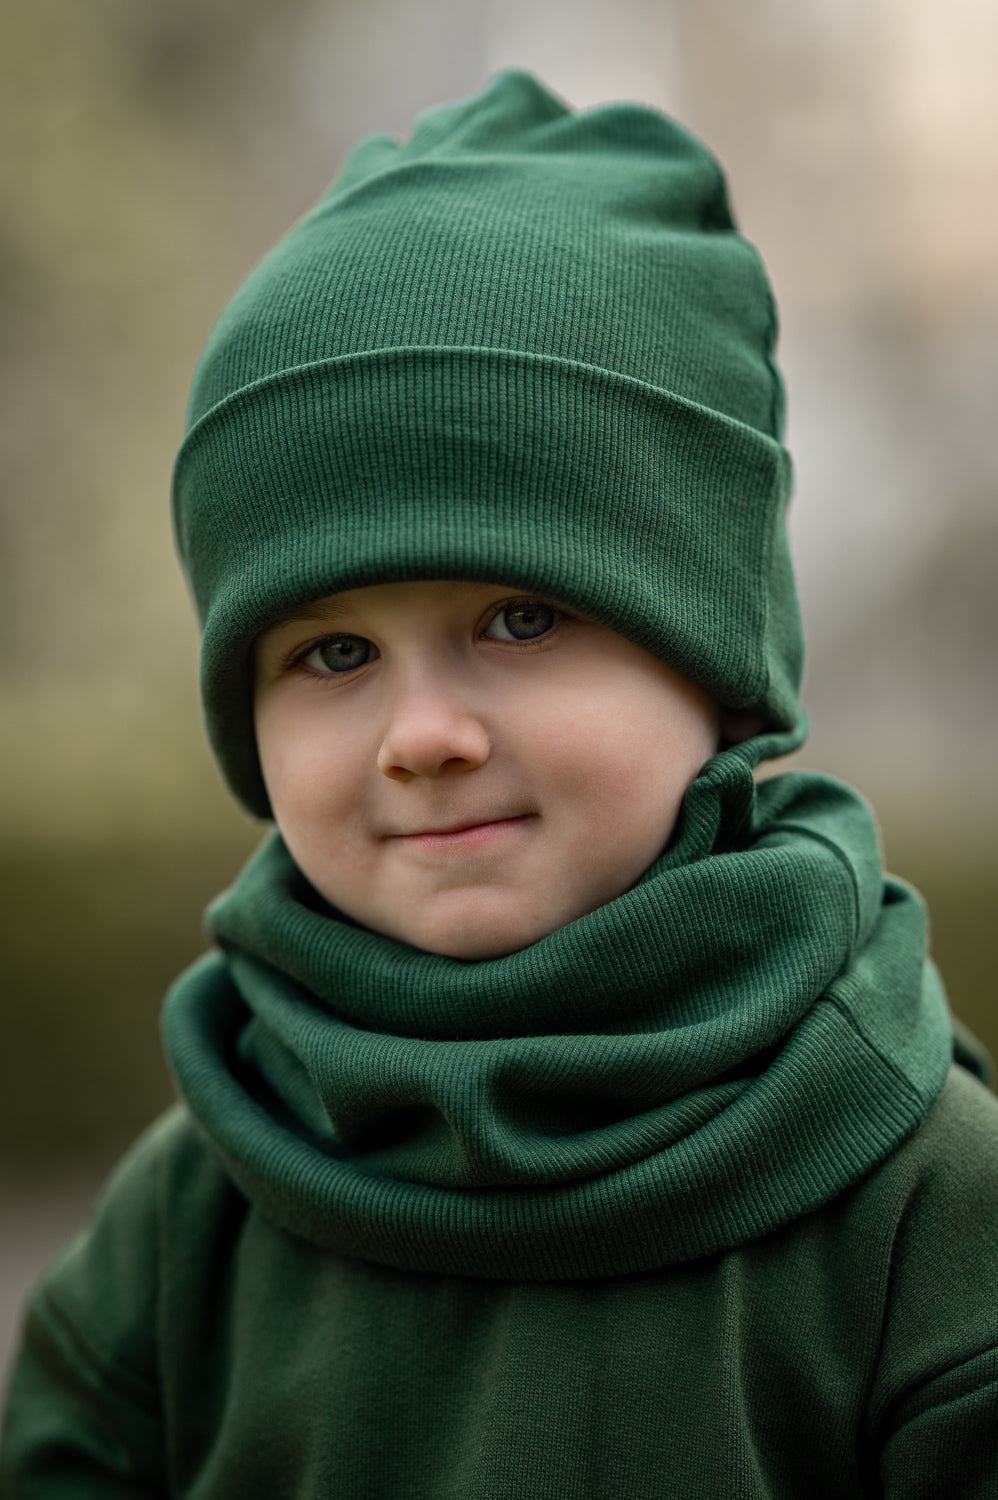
column 95, row 935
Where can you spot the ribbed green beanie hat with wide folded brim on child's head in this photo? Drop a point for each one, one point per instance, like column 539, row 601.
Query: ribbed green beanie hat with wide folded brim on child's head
column 525, row 347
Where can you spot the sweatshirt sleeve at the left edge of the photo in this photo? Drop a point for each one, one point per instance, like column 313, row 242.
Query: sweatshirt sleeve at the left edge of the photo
column 85, row 1409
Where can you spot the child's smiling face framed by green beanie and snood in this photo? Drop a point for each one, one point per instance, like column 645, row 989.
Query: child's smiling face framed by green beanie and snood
column 467, row 769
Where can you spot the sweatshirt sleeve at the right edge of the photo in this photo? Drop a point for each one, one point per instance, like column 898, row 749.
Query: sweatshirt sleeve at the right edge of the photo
column 936, row 1399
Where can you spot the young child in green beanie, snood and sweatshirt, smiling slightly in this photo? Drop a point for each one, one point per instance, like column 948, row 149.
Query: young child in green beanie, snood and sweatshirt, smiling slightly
column 564, row 1114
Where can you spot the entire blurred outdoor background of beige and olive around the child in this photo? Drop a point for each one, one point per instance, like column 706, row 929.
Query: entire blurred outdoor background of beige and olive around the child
column 152, row 154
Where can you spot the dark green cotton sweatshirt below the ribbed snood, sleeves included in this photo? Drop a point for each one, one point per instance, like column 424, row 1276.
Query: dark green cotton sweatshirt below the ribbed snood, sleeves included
column 188, row 1348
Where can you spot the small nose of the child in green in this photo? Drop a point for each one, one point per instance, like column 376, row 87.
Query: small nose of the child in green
column 431, row 733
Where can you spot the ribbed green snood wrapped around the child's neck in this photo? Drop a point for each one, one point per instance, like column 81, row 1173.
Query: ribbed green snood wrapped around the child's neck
column 723, row 1049
